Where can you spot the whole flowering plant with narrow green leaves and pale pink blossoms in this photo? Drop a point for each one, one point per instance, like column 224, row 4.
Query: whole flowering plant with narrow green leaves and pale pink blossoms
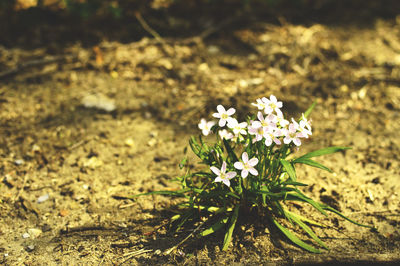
column 250, row 167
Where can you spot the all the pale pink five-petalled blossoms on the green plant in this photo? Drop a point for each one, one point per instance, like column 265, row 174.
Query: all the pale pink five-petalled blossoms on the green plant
column 269, row 126
